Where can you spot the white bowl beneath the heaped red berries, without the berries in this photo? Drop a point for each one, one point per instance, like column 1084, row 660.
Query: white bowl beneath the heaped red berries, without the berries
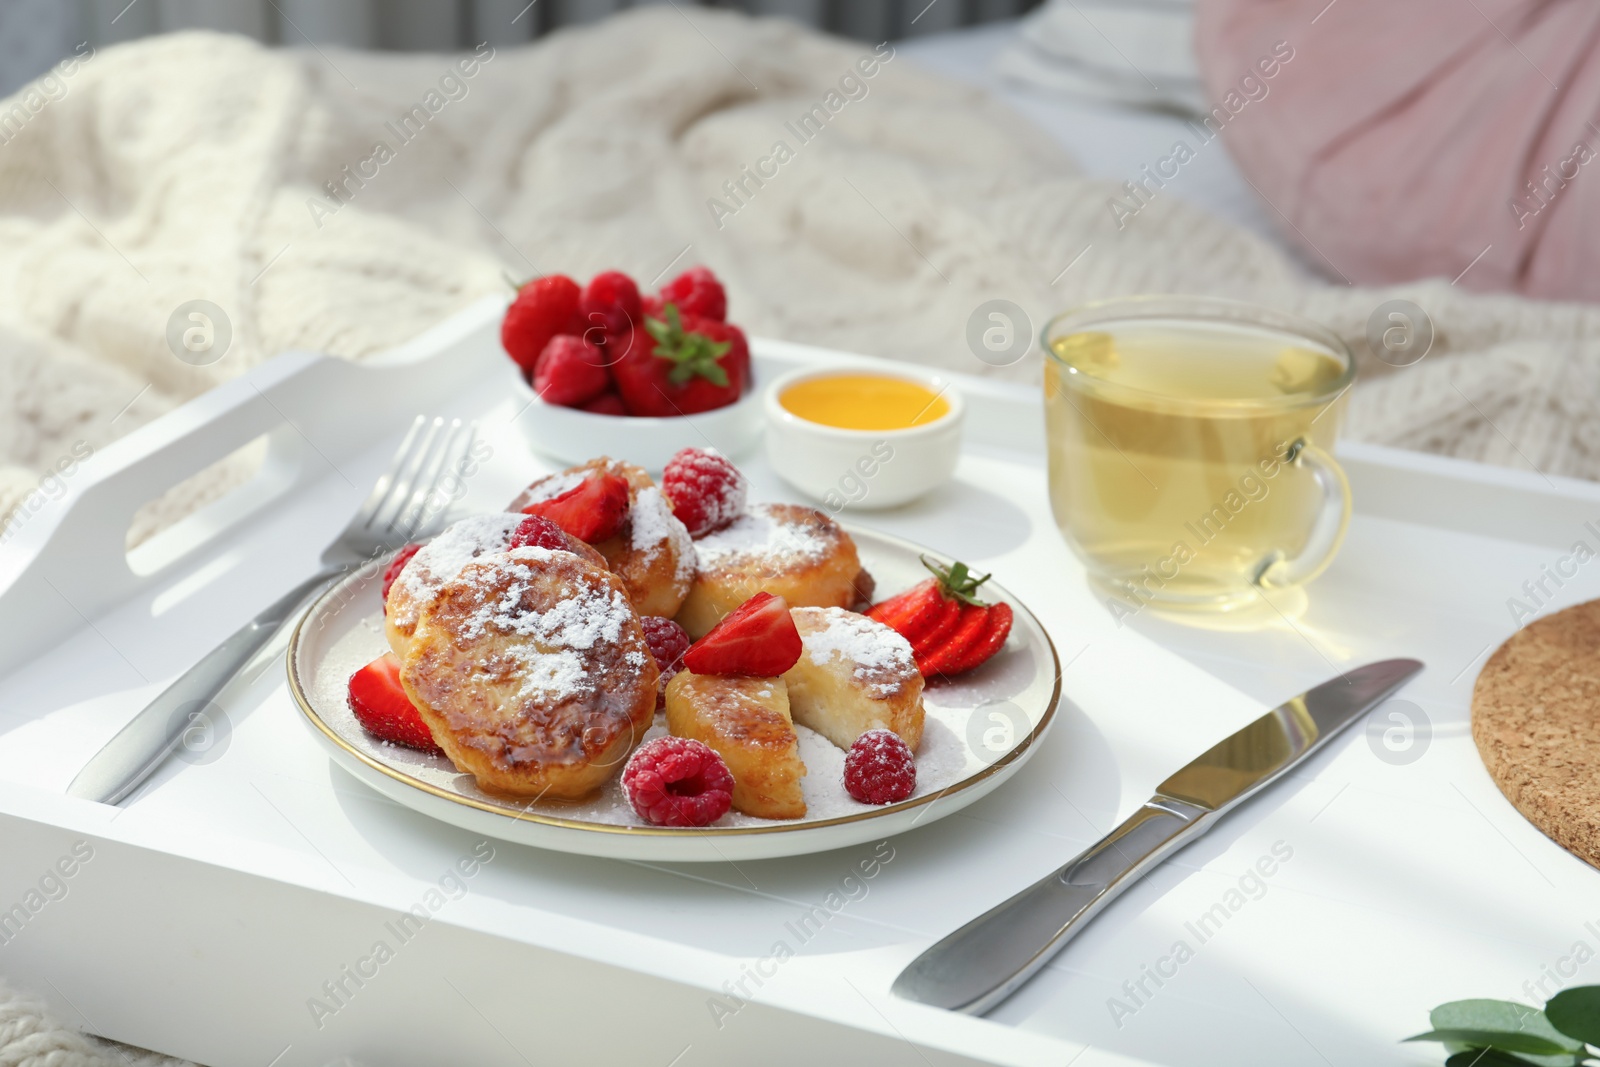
column 577, row 438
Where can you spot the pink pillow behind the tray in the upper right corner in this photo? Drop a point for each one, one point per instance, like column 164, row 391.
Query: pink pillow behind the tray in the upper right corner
column 1404, row 138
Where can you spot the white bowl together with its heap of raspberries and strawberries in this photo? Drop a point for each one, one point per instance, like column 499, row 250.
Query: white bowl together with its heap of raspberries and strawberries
column 612, row 372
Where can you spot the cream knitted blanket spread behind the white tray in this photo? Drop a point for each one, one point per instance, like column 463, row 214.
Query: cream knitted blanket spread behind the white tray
column 345, row 202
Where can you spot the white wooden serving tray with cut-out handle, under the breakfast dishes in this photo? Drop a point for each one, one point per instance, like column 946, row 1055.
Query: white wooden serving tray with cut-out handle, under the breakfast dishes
column 234, row 911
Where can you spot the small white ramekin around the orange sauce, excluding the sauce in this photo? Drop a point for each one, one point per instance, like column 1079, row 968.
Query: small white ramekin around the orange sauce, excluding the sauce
column 863, row 470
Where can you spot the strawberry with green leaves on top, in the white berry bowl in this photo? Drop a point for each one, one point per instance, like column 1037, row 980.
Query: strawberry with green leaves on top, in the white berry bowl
column 676, row 370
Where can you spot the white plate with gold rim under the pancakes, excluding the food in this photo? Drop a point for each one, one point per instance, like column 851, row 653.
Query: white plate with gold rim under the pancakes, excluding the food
column 980, row 730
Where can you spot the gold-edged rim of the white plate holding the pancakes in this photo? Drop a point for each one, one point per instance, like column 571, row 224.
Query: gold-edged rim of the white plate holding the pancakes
column 292, row 657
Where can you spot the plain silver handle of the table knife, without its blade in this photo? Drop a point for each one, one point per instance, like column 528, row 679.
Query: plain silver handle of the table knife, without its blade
column 983, row 962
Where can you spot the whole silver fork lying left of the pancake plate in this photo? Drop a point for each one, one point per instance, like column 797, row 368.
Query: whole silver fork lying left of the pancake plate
column 401, row 510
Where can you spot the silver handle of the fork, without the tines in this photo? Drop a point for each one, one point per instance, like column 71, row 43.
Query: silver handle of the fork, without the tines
column 151, row 737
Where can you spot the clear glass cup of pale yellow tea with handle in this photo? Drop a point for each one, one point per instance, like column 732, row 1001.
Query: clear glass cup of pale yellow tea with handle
column 1190, row 449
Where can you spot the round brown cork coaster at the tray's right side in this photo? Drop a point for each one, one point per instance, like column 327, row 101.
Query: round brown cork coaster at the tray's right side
column 1537, row 722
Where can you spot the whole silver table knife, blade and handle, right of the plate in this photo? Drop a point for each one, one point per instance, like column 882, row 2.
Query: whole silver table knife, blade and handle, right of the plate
column 991, row 957
